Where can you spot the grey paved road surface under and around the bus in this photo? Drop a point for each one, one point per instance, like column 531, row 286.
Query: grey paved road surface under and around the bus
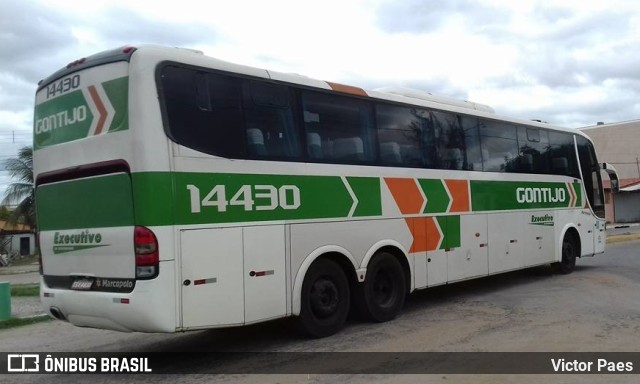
column 597, row 308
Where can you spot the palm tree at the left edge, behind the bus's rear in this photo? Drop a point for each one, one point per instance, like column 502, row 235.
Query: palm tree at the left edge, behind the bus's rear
column 21, row 191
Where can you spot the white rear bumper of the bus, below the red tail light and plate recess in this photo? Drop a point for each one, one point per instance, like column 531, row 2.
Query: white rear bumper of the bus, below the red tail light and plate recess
column 150, row 307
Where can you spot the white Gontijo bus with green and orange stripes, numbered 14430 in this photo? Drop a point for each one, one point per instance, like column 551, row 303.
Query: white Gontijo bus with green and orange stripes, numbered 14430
column 176, row 192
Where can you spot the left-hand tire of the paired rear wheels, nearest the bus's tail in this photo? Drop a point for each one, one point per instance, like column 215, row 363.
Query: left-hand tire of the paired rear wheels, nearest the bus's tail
column 325, row 299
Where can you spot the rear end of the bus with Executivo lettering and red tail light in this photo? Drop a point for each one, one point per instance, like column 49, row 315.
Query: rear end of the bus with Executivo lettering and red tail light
column 100, row 267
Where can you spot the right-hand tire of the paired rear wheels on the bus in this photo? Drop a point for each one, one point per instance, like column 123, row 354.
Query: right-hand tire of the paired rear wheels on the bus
column 381, row 297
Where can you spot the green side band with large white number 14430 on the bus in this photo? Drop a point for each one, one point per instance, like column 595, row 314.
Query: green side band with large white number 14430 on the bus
column 225, row 198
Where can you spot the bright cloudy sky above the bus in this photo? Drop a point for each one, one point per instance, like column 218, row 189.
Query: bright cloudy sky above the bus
column 571, row 63
